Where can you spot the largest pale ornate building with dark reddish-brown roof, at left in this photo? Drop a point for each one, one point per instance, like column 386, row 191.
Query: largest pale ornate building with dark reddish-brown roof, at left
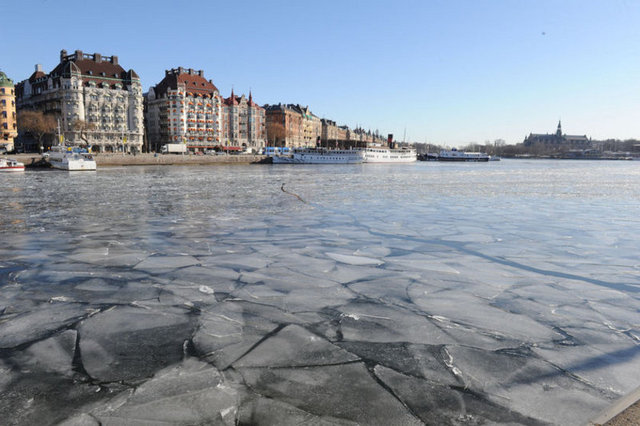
column 96, row 102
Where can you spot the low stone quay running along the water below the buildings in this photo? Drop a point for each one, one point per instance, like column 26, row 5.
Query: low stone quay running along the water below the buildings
column 104, row 160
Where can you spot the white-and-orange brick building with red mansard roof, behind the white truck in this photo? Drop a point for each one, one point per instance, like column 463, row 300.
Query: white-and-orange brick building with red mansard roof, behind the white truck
column 184, row 108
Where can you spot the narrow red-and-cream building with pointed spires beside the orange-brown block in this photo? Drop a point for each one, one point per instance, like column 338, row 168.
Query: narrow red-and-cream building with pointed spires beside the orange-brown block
column 243, row 123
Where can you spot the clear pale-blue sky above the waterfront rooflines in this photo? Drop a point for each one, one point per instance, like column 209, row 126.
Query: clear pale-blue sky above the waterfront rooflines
column 443, row 71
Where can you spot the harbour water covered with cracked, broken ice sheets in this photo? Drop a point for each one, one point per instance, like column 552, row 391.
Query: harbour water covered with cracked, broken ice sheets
column 499, row 293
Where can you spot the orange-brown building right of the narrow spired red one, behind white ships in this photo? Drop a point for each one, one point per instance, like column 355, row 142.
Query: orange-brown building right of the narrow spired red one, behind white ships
column 292, row 125
